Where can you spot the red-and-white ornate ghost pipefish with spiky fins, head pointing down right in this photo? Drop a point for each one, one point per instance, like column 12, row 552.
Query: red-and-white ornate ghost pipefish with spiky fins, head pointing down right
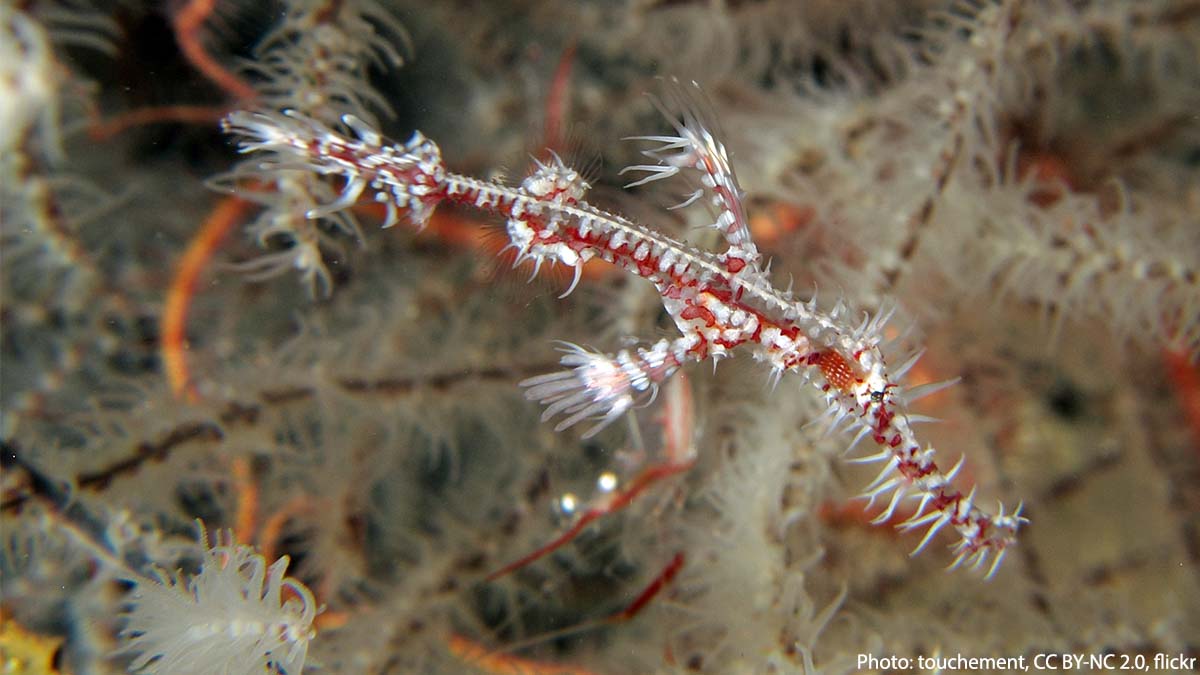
column 719, row 302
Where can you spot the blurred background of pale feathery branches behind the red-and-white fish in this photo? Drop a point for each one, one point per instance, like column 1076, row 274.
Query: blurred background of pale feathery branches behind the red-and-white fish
column 1022, row 177
